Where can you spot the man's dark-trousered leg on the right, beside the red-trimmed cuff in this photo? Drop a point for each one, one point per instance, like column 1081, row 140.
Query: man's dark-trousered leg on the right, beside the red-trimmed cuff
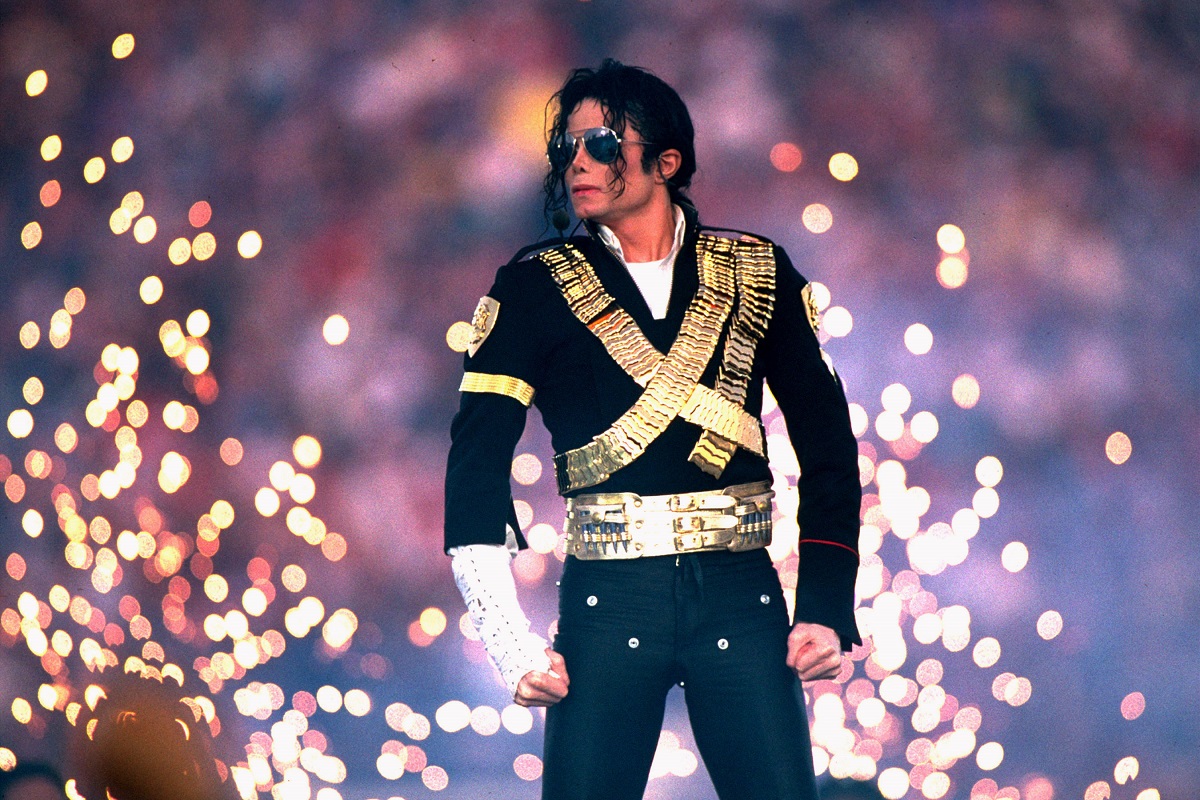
column 746, row 706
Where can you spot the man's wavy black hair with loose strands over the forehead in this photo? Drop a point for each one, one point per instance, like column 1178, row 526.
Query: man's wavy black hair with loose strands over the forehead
column 631, row 98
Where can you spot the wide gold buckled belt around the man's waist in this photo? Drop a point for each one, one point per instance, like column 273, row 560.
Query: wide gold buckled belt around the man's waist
column 627, row 526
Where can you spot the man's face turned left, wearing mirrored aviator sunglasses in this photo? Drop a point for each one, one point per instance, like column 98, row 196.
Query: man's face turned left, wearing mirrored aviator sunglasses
column 593, row 188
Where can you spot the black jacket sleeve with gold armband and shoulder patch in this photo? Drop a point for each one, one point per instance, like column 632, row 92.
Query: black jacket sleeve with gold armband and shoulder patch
column 500, row 375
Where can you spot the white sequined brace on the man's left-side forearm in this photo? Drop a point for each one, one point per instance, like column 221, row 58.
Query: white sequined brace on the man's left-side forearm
column 484, row 575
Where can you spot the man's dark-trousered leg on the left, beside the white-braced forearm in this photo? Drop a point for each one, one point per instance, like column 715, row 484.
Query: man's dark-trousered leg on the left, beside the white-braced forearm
column 601, row 739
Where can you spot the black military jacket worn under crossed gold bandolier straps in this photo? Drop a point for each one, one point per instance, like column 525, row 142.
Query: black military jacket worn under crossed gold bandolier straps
column 581, row 392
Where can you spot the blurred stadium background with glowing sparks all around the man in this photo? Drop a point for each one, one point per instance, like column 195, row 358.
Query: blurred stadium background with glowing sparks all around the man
column 236, row 240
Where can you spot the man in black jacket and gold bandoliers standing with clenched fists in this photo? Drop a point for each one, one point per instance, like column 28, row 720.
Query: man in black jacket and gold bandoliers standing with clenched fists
column 646, row 345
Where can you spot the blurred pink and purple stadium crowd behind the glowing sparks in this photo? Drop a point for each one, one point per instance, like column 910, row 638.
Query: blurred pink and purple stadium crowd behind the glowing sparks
column 391, row 157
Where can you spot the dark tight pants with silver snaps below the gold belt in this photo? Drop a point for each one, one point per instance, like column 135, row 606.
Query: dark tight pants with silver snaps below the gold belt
column 629, row 631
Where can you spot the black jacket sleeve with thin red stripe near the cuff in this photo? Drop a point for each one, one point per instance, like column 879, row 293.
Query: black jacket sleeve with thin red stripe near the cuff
column 814, row 406
